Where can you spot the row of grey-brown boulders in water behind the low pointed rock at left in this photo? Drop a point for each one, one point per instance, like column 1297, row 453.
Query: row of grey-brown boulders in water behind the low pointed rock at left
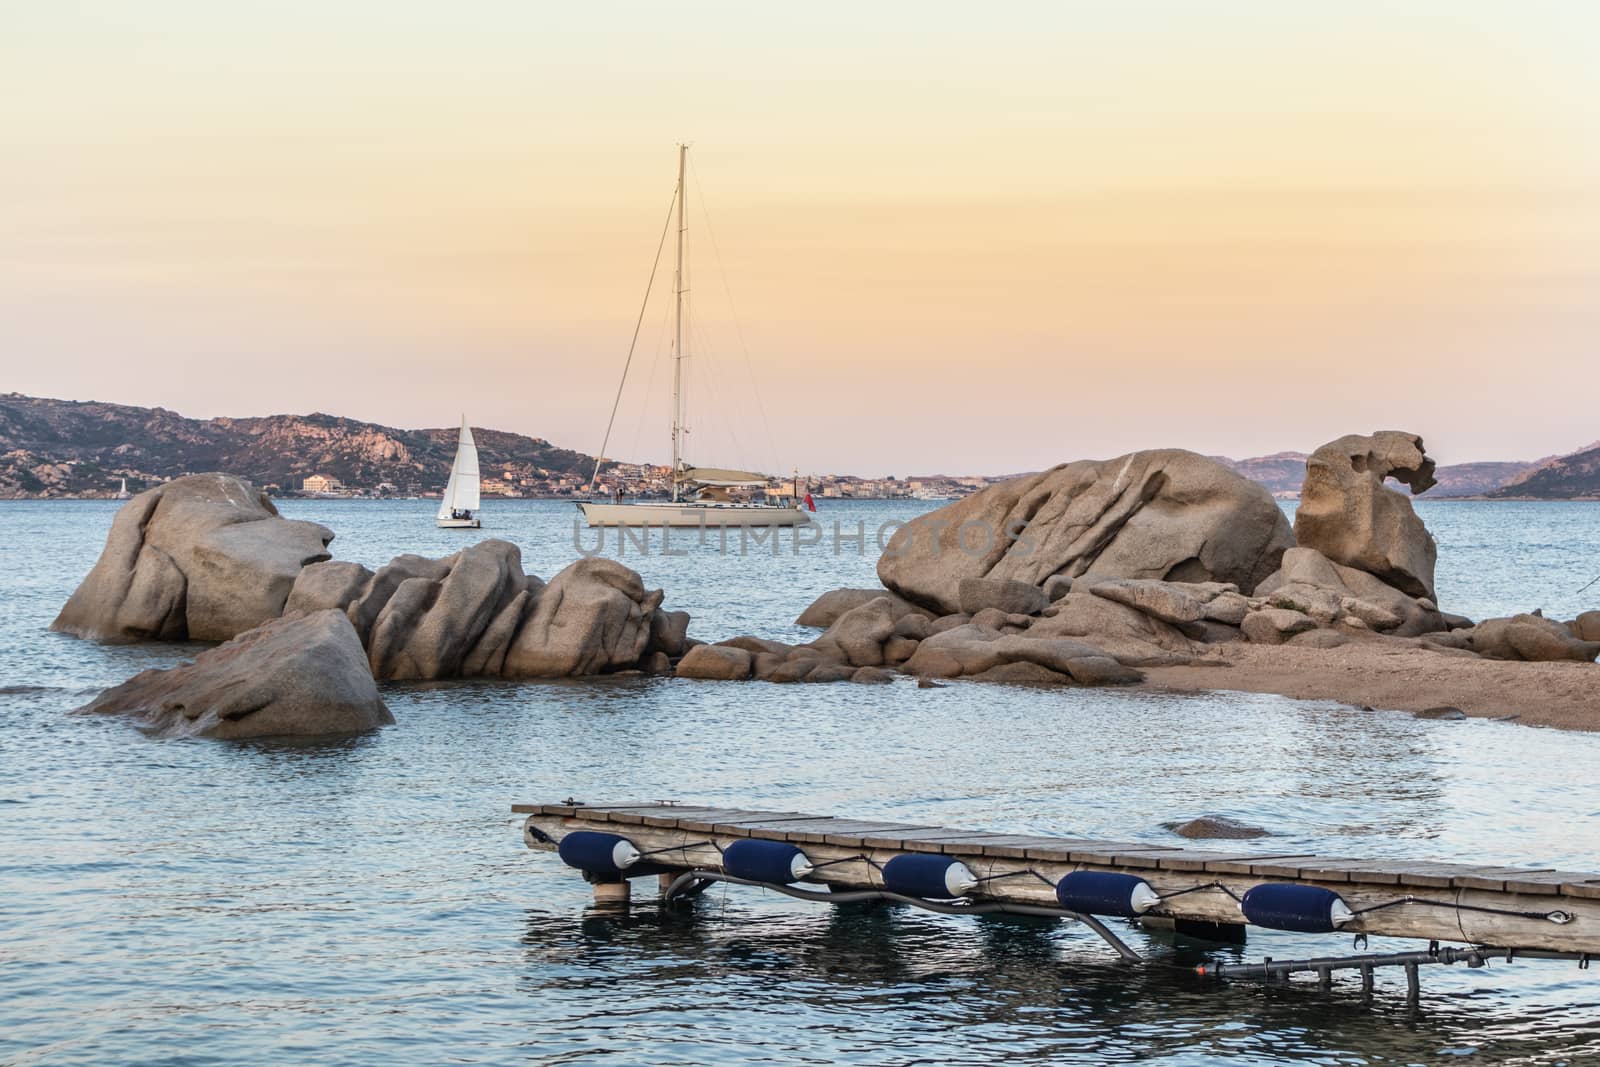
column 209, row 557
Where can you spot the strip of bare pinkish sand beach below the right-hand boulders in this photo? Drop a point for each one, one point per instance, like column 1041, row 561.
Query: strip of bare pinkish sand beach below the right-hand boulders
column 1378, row 677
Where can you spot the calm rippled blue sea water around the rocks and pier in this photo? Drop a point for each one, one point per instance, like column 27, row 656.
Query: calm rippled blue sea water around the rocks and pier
column 370, row 901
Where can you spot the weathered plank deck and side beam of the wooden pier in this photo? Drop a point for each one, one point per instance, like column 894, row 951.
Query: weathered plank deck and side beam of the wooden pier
column 1513, row 909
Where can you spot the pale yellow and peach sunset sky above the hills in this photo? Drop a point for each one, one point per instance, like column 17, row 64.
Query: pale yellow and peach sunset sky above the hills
column 924, row 238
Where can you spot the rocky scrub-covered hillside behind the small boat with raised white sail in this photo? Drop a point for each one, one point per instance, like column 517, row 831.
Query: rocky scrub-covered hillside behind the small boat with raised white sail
column 84, row 449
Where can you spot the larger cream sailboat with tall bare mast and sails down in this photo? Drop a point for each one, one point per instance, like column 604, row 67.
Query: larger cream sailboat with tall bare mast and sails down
column 702, row 497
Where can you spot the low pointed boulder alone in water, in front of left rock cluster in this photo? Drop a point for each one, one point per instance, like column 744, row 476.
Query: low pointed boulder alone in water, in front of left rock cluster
column 303, row 676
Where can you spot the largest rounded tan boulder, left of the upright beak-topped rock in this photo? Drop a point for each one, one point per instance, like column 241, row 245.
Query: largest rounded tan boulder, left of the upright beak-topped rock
column 1164, row 514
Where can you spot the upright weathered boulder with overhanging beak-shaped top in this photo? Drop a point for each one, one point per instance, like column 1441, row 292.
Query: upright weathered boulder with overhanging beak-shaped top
column 1351, row 518
